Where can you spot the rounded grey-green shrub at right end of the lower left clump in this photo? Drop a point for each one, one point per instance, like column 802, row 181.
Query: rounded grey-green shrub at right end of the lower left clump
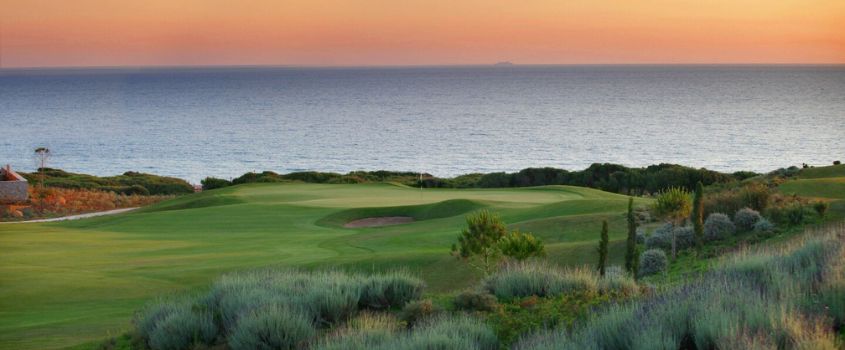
column 392, row 289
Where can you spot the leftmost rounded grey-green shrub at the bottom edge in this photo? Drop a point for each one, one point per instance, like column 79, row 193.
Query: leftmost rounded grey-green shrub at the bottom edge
column 182, row 329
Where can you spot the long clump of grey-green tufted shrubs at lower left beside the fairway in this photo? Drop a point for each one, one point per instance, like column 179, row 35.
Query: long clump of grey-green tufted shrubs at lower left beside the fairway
column 272, row 309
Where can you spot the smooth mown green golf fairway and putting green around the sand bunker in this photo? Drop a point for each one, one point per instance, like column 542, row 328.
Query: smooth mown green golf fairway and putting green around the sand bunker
column 64, row 284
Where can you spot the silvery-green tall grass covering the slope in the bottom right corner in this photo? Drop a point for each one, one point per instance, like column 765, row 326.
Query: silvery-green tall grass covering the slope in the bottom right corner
column 786, row 297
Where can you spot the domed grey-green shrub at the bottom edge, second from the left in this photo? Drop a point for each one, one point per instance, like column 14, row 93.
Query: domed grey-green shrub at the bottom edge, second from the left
column 274, row 327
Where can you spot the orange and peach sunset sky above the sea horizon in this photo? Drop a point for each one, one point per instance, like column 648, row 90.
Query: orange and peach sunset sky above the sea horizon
column 49, row 33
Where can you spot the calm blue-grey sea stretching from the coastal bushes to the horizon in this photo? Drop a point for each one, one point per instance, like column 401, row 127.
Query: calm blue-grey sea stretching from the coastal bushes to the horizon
column 193, row 123
